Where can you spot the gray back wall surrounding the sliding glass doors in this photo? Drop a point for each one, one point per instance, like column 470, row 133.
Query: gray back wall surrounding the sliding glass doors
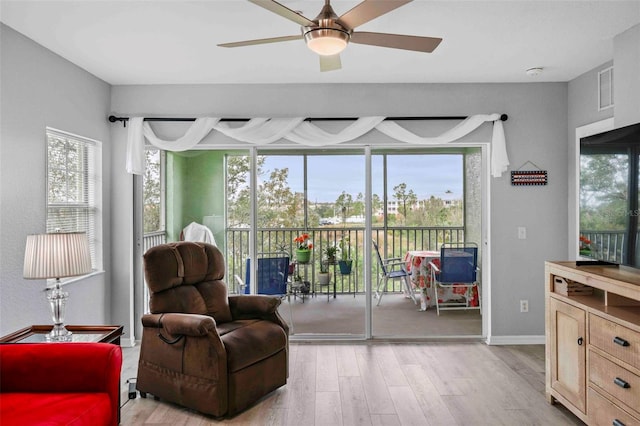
column 536, row 131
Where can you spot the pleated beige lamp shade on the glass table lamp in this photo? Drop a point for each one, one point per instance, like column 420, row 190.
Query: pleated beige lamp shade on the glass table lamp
column 57, row 255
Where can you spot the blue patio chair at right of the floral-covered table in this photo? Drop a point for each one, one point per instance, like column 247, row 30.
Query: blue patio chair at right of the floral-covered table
column 456, row 274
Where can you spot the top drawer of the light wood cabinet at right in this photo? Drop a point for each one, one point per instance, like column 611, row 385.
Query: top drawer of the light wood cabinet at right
column 621, row 342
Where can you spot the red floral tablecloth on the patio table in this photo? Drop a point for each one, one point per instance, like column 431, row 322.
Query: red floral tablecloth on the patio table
column 417, row 262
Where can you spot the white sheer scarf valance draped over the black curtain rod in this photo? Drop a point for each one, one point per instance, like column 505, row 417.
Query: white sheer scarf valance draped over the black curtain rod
column 263, row 131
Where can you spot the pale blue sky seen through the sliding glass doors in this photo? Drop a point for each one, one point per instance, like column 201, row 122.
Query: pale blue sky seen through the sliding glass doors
column 329, row 175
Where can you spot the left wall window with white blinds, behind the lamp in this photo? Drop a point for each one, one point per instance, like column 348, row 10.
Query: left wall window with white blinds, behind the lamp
column 73, row 176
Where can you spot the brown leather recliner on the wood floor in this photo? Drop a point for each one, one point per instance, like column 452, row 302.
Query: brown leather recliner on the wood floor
column 201, row 348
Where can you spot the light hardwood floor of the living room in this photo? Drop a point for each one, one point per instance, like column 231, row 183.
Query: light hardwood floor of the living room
column 386, row 384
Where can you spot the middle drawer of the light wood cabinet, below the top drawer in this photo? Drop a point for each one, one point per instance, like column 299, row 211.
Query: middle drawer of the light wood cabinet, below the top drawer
column 622, row 384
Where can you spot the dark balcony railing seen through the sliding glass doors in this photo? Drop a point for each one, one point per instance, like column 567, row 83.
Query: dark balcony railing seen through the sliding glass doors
column 393, row 242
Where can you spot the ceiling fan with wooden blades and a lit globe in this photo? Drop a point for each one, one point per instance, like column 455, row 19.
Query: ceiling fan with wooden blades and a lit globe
column 328, row 34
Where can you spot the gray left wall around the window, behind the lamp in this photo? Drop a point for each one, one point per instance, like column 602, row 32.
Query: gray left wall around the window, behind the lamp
column 42, row 89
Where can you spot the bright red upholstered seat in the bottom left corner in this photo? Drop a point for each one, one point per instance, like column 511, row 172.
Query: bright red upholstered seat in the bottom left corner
column 59, row 384
